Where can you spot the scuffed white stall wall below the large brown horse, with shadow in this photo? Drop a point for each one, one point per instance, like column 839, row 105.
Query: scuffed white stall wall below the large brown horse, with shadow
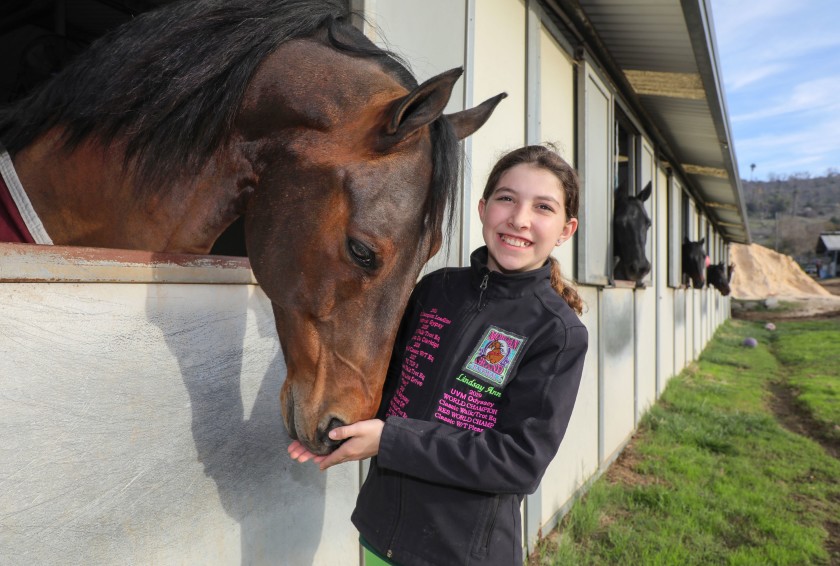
column 140, row 424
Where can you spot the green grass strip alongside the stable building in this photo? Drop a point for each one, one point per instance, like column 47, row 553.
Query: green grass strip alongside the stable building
column 713, row 477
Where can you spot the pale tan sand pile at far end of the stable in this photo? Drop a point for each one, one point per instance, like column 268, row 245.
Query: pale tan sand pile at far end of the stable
column 761, row 273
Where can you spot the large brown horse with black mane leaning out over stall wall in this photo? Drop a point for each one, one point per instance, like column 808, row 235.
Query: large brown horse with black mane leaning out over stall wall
column 167, row 130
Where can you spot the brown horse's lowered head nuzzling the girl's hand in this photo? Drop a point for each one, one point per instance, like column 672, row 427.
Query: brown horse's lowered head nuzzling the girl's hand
column 347, row 209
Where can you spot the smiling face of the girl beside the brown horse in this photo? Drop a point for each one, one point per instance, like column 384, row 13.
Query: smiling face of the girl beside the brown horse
column 524, row 219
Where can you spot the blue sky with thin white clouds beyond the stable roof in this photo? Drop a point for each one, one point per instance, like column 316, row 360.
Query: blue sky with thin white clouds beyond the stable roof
column 781, row 72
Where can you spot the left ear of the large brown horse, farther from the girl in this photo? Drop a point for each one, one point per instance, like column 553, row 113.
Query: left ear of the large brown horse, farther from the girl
column 420, row 107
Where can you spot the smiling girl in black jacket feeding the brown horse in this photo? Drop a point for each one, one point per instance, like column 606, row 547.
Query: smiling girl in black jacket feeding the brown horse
column 481, row 386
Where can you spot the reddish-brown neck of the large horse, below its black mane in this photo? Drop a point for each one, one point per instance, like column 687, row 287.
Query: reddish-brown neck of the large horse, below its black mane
column 84, row 198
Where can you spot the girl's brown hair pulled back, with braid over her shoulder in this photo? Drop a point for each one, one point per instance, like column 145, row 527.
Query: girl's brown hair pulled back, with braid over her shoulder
column 545, row 157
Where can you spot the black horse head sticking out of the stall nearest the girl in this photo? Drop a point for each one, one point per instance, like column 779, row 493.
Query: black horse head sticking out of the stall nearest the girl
column 630, row 227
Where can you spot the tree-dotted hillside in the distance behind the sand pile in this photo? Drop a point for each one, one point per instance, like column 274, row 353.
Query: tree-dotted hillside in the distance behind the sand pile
column 787, row 214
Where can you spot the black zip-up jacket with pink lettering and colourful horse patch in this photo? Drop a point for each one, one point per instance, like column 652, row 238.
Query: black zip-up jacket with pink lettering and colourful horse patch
column 479, row 393
